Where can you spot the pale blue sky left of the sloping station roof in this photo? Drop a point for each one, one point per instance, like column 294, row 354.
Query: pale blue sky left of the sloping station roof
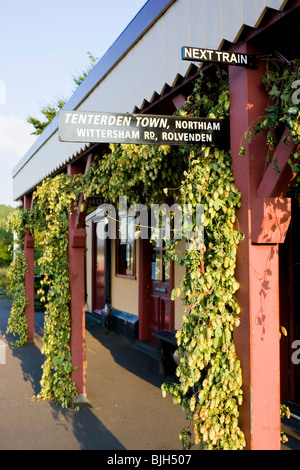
column 43, row 45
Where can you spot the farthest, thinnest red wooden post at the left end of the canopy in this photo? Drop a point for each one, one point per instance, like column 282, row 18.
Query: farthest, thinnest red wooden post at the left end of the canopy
column 29, row 276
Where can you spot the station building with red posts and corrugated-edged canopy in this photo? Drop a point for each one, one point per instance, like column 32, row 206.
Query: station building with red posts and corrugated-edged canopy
column 127, row 281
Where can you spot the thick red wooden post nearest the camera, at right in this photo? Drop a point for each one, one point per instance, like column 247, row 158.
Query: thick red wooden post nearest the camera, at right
column 257, row 338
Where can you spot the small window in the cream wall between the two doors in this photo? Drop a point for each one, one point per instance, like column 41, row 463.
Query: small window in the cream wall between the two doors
column 125, row 246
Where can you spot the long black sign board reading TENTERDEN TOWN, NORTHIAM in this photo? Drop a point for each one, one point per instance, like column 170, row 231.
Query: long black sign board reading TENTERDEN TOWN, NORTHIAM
column 93, row 127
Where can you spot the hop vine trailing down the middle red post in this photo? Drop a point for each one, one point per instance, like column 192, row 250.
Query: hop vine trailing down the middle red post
column 53, row 201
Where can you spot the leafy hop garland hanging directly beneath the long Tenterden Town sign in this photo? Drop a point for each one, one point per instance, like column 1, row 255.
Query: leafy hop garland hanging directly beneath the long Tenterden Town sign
column 138, row 172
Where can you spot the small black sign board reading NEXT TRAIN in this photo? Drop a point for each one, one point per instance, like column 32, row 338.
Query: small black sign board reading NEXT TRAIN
column 229, row 58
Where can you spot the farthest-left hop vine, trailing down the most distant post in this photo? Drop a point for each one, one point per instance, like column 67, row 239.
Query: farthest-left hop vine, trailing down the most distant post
column 17, row 323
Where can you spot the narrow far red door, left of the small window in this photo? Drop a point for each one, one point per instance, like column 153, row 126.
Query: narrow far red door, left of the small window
column 98, row 266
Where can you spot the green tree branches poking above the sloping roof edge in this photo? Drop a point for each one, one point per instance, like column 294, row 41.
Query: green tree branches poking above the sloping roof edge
column 50, row 111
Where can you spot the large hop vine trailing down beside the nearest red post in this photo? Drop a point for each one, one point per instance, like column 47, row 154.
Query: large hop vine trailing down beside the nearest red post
column 209, row 372
